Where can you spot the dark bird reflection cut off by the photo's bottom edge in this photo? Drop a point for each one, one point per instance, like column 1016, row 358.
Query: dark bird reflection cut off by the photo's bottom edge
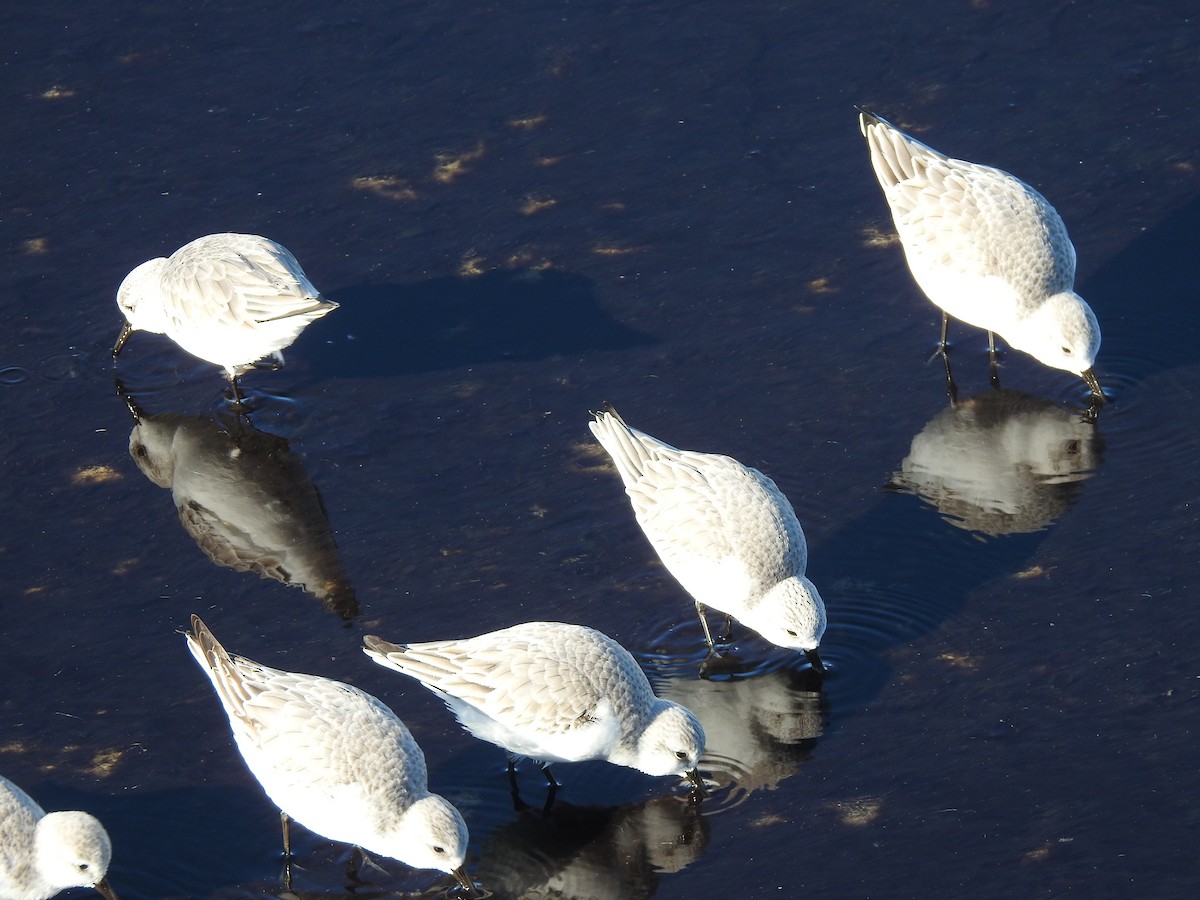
column 593, row 853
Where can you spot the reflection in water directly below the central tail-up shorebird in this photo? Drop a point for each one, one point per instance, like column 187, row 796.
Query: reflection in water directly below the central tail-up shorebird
column 760, row 725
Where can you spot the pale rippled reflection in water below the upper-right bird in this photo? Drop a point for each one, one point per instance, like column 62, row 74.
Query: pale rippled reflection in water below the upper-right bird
column 1001, row 463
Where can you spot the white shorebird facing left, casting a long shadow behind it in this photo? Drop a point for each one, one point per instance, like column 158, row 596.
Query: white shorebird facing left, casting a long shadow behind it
column 231, row 299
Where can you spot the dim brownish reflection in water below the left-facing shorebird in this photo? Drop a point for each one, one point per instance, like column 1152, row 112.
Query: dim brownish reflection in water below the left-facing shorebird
column 247, row 501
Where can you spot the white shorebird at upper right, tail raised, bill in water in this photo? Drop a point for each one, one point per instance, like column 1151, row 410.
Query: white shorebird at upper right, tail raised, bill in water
column 987, row 249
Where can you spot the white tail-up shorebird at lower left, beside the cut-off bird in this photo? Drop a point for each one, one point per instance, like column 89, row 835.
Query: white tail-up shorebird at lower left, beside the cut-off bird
column 334, row 759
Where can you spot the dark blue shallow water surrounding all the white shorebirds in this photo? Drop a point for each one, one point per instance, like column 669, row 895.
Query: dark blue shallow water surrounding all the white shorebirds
column 525, row 211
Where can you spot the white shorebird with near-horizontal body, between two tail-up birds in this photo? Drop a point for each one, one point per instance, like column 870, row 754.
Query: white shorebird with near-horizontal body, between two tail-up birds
column 554, row 693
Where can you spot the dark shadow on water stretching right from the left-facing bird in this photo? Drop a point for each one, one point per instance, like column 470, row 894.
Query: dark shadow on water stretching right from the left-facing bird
column 457, row 322
